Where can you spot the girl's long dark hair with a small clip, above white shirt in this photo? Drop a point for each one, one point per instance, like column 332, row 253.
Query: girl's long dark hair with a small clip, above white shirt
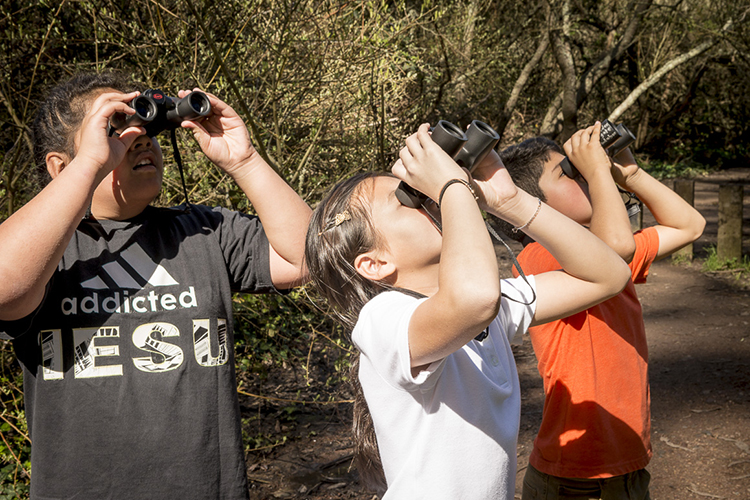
column 340, row 230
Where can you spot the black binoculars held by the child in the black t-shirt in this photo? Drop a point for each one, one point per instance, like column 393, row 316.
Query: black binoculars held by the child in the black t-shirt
column 156, row 112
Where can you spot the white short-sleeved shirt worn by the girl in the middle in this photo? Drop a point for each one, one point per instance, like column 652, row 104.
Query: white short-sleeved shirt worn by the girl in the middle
column 451, row 431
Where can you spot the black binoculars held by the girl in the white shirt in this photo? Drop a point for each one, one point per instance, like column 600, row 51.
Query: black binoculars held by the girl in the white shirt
column 467, row 149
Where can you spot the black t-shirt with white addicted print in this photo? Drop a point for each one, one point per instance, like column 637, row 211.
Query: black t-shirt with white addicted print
column 128, row 363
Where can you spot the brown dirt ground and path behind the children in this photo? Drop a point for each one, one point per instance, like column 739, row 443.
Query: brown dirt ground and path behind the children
column 698, row 326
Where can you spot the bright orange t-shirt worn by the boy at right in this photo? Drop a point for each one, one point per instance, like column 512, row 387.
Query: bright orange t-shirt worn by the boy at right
column 596, row 420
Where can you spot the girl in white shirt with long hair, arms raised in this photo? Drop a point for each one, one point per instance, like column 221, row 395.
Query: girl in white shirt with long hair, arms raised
column 433, row 321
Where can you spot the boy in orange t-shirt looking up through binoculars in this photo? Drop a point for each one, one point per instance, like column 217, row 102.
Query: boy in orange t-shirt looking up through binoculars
column 594, row 440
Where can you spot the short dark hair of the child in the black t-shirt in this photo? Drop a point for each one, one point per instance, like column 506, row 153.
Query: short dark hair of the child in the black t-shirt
column 60, row 115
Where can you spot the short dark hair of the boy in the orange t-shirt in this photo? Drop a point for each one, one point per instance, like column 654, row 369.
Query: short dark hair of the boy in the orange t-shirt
column 525, row 164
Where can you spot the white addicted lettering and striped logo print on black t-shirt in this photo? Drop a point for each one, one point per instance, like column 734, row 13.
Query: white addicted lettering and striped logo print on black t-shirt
column 128, row 285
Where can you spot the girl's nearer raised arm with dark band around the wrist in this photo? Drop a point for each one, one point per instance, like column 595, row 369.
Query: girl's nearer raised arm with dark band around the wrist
column 466, row 288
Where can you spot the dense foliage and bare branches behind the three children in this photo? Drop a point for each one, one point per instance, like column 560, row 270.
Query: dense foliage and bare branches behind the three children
column 331, row 87
